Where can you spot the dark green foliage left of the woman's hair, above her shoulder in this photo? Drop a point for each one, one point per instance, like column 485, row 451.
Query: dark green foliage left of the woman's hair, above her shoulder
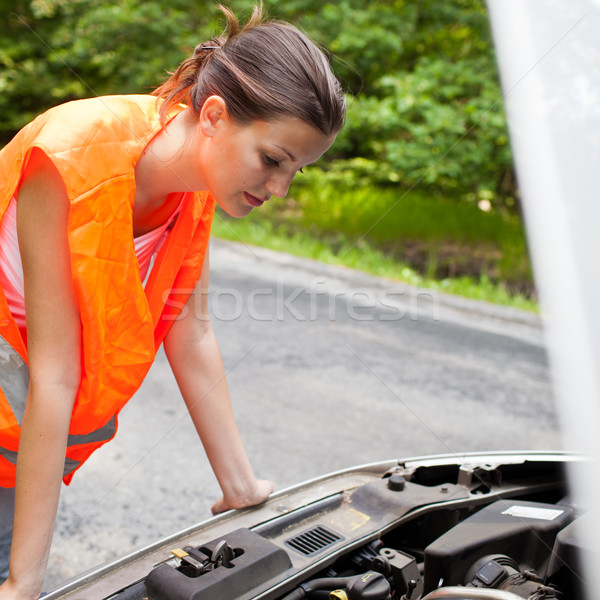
column 58, row 50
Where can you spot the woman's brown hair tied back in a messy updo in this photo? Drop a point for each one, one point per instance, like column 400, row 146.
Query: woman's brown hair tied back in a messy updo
column 264, row 70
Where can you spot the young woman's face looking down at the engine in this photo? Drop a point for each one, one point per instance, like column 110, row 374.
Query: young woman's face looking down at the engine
column 244, row 165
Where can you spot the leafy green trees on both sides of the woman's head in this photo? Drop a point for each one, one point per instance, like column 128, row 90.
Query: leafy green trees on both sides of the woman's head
column 425, row 103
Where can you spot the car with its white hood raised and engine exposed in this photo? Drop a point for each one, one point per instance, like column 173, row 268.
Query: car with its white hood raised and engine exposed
column 500, row 526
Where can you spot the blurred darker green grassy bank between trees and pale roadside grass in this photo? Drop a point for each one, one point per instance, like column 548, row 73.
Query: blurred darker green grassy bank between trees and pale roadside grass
column 436, row 236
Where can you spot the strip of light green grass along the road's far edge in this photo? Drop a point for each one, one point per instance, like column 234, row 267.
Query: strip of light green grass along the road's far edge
column 280, row 228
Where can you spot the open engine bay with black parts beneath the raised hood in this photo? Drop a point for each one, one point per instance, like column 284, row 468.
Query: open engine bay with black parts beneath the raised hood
column 430, row 531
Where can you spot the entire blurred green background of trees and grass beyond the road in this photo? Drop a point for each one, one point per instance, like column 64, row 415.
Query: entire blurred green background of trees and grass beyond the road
column 419, row 185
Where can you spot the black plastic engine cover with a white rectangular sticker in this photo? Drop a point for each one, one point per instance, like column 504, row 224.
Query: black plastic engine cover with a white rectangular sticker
column 524, row 531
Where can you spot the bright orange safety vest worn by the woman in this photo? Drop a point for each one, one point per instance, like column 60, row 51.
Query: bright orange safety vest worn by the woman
column 95, row 145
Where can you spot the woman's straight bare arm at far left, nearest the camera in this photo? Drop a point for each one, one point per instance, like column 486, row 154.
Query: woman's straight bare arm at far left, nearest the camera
column 54, row 356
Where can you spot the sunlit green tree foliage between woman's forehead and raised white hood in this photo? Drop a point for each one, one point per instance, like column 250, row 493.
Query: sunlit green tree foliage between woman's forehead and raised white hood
column 426, row 106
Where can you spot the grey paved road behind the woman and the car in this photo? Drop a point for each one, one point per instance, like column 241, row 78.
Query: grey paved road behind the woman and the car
column 327, row 368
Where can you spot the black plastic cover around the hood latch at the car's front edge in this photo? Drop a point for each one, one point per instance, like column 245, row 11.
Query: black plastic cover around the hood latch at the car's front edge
column 259, row 561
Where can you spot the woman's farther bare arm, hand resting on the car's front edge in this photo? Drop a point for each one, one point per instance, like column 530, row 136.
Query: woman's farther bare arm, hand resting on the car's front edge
column 195, row 358
